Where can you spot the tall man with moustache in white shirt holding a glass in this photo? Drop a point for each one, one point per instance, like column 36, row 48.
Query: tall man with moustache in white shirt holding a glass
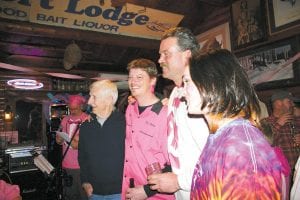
column 186, row 135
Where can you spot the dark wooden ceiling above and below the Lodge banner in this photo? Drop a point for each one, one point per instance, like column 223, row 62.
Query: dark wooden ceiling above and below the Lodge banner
column 19, row 41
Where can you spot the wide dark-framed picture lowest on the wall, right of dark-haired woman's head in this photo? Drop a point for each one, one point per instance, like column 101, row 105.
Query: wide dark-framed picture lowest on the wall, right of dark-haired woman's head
column 273, row 63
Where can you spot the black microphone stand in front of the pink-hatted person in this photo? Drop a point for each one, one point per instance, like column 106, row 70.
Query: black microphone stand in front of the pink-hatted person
column 59, row 172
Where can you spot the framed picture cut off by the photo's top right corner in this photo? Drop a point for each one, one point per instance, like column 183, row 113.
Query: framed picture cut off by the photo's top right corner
column 283, row 15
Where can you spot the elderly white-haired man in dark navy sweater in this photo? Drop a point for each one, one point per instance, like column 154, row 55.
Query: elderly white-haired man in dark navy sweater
column 101, row 144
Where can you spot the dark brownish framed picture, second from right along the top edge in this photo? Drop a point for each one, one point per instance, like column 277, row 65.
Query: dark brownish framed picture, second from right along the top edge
column 247, row 22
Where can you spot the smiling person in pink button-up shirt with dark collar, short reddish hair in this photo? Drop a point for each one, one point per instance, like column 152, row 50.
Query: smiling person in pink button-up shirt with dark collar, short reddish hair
column 146, row 132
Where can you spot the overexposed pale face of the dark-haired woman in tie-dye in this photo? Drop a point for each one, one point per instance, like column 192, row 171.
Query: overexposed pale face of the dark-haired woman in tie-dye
column 192, row 94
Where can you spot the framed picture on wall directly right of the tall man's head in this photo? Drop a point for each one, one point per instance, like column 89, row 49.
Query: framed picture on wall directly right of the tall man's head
column 218, row 37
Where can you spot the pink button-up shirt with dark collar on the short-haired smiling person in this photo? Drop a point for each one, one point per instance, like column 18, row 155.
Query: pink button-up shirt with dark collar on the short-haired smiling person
column 145, row 143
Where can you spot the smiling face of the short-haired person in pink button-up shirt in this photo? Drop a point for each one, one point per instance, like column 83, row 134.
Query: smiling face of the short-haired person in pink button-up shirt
column 139, row 82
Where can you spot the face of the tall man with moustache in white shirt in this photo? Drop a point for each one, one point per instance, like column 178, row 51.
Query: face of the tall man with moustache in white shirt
column 172, row 60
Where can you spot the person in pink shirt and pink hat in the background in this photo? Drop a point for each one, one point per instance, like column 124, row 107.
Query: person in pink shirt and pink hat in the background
column 70, row 125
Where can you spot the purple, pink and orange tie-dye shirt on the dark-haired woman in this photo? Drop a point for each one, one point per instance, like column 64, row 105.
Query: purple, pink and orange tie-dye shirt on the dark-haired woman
column 237, row 163
